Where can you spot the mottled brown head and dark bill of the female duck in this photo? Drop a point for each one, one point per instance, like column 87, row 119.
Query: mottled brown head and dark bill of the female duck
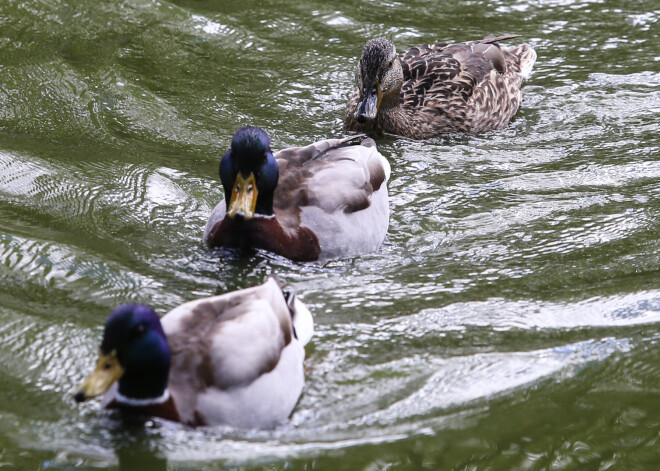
column 378, row 77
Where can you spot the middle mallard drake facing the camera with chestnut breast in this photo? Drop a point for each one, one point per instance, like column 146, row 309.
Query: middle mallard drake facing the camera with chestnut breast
column 328, row 199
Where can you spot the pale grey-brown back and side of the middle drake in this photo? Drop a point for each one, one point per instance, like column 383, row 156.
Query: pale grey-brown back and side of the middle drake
column 338, row 189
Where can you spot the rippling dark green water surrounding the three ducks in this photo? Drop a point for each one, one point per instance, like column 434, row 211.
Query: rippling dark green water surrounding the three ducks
column 511, row 319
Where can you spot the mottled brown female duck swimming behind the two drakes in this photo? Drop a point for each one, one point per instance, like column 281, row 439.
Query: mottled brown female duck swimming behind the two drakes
column 428, row 90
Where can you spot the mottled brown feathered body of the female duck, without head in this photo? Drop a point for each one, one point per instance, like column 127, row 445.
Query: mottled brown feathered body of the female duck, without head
column 467, row 87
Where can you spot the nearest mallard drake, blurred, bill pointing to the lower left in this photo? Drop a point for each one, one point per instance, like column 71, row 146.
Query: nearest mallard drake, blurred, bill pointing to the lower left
column 235, row 359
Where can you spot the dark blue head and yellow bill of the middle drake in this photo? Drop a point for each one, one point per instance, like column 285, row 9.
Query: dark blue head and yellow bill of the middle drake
column 249, row 174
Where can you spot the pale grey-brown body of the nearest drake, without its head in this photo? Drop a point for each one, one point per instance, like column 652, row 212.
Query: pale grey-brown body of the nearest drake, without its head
column 235, row 358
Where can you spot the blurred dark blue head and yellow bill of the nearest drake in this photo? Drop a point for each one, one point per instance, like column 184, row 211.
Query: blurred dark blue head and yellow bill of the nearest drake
column 135, row 352
